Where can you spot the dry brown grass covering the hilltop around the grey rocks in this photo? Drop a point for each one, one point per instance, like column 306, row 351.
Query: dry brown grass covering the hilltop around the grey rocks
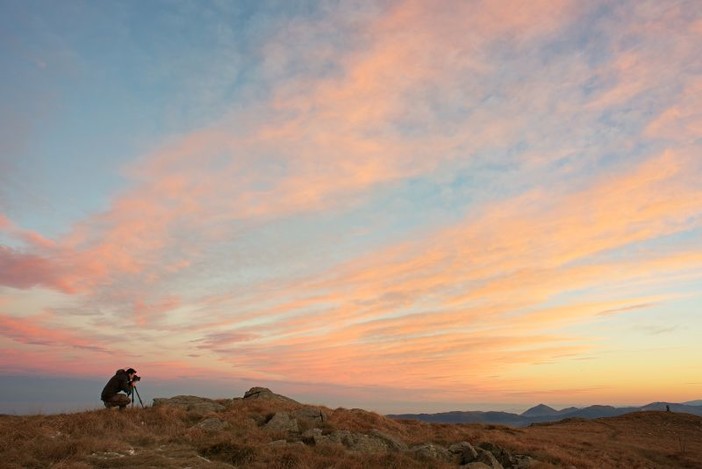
column 169, row 437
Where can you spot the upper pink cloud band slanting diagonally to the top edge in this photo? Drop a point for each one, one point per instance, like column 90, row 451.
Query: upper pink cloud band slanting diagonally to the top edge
column 267, row 168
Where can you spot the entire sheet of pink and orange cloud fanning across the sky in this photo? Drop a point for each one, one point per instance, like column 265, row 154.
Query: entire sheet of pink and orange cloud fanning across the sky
column 558, row 141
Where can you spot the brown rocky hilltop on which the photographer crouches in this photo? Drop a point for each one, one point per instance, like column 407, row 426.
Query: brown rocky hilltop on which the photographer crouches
column 263, row 429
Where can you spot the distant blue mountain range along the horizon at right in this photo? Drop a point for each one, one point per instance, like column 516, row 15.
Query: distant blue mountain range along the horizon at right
column 543, row 413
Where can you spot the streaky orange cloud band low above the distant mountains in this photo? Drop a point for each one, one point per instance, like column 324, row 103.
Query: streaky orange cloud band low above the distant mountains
column 481, row 287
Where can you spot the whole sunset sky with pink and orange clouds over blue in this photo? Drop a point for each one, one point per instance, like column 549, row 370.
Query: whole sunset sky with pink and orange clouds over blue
column 404, row 206
